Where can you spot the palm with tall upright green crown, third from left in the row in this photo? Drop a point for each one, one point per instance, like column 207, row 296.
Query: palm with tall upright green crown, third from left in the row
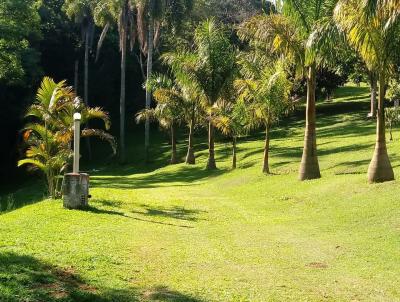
column 211, row 66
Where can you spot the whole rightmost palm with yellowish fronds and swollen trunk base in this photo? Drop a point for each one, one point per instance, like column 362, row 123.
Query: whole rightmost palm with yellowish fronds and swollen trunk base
column 375, row 35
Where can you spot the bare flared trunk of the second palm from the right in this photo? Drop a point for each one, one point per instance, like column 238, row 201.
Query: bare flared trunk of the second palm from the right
column 309, row 168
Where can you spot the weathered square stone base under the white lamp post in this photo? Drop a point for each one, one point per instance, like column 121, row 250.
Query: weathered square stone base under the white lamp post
column 76, row 191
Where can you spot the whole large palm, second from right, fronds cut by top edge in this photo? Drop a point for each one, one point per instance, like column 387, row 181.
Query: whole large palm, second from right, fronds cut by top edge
column 288, row 35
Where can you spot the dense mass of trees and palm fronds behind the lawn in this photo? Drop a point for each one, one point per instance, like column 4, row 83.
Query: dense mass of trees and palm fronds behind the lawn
column 280, row 53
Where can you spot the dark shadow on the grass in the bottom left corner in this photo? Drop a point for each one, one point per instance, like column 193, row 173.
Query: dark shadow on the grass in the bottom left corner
column 25, row 278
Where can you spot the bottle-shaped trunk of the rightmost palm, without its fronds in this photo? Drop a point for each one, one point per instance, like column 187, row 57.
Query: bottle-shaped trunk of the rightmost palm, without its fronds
column 380, row 169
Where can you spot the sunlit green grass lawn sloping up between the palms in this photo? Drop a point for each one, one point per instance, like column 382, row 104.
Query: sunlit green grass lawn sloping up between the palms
column 179, row 233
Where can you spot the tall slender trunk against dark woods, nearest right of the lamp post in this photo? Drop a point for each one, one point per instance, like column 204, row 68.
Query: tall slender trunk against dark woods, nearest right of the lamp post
column 122, row 97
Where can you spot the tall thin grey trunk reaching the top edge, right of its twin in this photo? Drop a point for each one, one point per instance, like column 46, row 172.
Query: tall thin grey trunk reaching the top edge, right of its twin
column 150, row 45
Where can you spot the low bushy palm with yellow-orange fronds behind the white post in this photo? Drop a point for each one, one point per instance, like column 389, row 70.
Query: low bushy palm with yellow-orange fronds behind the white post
column 50, row 133
